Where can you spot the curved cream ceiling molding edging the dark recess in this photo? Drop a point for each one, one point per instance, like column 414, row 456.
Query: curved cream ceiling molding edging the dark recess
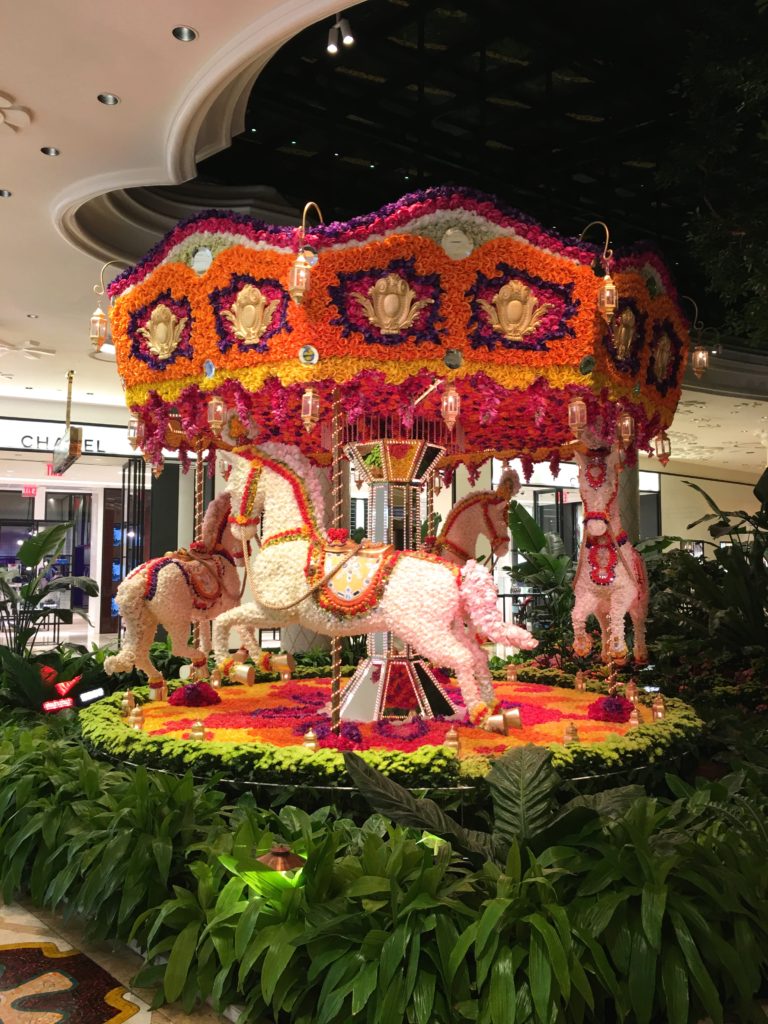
column 91, row 215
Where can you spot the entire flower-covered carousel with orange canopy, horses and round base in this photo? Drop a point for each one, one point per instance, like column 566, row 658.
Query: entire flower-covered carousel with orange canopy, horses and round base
column 443, row 331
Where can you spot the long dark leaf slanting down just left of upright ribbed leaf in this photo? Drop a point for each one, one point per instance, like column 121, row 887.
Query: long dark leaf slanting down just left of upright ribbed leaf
column 396, row 802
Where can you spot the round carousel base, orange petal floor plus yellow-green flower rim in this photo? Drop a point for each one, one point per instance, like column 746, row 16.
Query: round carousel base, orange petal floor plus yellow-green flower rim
column 258, row 734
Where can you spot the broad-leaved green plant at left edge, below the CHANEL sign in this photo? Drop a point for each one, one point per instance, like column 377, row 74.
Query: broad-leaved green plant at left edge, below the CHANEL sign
column 26, row 606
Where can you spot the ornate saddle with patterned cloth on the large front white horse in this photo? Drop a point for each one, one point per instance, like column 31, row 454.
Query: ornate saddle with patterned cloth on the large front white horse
column 353, row 581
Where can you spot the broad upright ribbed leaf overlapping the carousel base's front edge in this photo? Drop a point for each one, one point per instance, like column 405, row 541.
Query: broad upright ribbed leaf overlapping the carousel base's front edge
column 523, row 786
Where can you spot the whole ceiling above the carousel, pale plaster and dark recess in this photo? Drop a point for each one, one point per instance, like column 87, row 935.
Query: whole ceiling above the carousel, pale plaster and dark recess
column 554, row 111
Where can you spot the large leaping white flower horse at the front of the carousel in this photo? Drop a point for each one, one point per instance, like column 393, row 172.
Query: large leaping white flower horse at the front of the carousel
column 420, row 598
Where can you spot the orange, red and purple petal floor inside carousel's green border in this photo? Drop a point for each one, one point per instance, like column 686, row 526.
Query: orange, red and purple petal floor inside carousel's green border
column 282, row 713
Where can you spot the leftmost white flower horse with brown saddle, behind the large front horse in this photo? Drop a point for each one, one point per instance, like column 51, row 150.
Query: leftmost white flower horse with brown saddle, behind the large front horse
column 180, row 588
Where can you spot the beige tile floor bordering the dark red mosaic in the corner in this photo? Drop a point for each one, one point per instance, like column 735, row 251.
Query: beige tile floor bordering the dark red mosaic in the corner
column 26, row 924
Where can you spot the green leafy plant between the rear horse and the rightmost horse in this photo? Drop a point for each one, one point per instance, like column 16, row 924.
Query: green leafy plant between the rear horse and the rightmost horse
column 548, row 572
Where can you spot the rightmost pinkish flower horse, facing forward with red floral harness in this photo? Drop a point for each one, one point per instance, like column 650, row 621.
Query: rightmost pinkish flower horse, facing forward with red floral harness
column 611, row 580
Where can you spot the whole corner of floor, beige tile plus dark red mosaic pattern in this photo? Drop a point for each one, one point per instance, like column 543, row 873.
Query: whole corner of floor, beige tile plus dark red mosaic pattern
column 50, row 974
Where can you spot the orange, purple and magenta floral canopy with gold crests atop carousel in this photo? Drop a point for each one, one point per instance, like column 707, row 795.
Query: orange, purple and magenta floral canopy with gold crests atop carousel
column 445, row 285
